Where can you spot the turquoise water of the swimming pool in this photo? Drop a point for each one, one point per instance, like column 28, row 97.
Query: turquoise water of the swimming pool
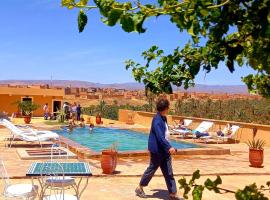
column 103, row 138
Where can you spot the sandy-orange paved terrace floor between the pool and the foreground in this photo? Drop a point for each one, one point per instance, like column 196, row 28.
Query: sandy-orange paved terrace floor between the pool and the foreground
column 234, row 169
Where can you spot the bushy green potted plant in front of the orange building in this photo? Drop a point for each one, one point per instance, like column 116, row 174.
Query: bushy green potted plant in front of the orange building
column 27, row 108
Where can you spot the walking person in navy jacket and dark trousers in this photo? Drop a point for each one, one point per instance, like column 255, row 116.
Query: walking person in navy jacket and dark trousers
column 160, row 152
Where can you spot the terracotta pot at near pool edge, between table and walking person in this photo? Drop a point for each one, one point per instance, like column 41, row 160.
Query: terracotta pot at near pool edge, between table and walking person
column 109, row 159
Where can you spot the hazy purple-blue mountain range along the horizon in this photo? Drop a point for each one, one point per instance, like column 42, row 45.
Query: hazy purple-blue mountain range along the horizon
column 233, row 89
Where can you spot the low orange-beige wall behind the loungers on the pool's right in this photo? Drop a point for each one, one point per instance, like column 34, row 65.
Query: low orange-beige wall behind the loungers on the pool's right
column 245, row 132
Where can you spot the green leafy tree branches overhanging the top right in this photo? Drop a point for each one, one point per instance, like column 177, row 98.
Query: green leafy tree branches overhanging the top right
column 236, row 31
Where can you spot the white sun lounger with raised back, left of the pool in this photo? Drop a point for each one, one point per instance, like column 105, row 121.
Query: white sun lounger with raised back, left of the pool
column 29, row 134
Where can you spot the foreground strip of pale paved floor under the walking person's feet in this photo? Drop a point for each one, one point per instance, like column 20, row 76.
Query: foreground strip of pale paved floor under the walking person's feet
column 122, row 188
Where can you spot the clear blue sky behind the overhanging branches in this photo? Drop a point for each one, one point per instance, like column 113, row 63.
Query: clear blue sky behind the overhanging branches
column 39, row 38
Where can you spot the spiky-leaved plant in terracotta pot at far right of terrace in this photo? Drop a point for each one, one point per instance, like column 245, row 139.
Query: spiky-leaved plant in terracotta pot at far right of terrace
column 256, row 152
